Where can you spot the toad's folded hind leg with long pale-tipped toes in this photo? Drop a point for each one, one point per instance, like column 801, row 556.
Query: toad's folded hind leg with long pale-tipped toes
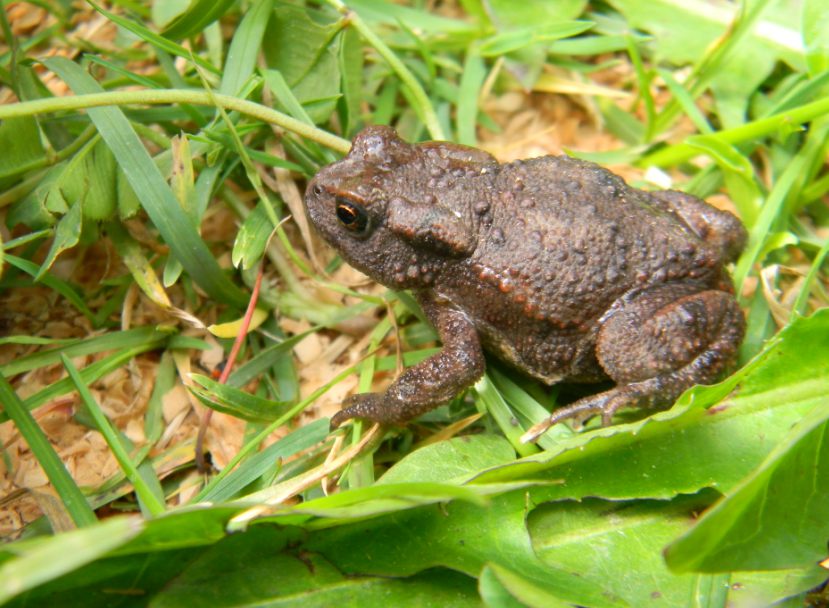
column 655, row 344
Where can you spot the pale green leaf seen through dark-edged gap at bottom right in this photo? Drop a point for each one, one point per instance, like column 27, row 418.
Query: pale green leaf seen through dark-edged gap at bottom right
column 612, row 544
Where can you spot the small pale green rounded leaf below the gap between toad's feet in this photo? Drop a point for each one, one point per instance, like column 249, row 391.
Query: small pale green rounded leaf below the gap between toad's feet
column 451, row 461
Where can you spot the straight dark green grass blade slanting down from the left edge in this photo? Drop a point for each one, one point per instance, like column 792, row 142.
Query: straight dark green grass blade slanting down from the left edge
column 73, row 500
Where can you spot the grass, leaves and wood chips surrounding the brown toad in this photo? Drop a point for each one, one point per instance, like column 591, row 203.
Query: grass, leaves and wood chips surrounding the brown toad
column 153, row 169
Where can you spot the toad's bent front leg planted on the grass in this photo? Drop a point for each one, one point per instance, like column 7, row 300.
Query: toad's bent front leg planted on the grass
column 431, row 382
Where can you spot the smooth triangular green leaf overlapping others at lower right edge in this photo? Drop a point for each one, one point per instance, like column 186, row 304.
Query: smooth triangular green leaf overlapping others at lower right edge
column 778, row 517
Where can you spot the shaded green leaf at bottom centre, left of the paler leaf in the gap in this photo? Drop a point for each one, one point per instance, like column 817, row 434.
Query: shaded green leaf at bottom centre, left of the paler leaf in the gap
column 460, row 536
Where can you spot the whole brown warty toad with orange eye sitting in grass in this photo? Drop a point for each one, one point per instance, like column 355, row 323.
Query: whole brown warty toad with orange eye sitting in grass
column 554, row 265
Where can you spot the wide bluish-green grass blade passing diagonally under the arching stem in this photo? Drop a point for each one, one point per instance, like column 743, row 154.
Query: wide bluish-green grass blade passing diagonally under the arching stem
column 155, row 195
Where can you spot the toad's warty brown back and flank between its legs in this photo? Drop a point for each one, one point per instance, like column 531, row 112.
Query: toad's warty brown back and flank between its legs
column 560, row 241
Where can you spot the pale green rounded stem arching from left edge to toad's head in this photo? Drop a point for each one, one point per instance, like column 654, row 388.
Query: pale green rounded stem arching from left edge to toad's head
column 173, row 96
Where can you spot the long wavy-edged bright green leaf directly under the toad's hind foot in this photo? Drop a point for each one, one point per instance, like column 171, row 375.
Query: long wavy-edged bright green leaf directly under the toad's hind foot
column 738, row 422
